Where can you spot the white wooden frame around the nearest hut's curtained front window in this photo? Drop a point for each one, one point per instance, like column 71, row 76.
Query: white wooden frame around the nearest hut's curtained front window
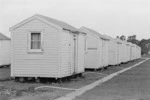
column 29, row 42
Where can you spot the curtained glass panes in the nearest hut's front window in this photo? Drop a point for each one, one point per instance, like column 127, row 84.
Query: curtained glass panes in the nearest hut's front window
column 35, row 41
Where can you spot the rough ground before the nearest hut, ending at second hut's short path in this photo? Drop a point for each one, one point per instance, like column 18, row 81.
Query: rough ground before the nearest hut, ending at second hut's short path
column 43, row 94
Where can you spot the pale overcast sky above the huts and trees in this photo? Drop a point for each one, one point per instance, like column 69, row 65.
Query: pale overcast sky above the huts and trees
column 110, row 17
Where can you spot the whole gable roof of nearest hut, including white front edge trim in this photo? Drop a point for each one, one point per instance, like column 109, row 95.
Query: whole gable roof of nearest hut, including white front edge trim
column 63, row 25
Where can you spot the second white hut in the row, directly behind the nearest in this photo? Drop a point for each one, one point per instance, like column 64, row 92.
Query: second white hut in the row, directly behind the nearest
column 96, row 54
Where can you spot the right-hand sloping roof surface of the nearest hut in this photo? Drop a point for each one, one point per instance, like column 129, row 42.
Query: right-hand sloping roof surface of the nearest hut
column 64, row 25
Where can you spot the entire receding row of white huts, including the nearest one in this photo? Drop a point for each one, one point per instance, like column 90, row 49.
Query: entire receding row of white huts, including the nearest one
column 46, row 47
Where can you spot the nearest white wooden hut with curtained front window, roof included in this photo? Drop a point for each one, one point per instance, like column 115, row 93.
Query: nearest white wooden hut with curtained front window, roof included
column 46, row 47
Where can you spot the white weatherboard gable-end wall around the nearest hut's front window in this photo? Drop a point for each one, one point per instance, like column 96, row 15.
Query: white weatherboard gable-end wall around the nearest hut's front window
column 43, row 64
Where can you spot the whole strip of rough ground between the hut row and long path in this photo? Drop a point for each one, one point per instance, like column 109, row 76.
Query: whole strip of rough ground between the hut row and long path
column 24, row 89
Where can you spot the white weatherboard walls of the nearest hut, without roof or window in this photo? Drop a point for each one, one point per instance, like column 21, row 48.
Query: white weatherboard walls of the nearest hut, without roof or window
column 56, row 59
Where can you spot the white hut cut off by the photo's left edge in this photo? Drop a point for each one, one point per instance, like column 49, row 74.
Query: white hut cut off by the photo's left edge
column 4, row 50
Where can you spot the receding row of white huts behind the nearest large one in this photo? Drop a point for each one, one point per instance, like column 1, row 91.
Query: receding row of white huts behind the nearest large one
column 102, row 50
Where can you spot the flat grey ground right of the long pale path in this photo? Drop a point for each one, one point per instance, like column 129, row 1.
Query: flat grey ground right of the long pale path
column 131, row 85
